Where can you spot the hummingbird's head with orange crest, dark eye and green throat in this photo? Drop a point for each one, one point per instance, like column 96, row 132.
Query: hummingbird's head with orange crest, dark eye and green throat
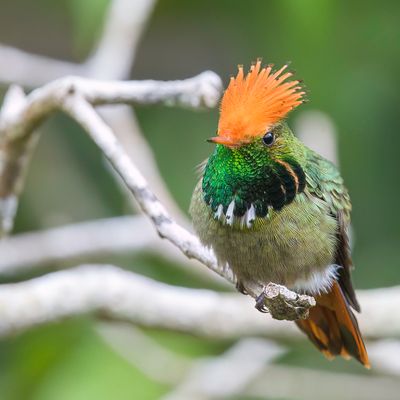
column 257, row 162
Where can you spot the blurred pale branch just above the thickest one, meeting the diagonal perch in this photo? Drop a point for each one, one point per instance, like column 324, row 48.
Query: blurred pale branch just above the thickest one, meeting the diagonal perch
column 35, row 250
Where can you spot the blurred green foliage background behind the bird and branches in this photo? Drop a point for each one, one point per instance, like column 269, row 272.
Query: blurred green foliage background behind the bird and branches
column 348, row 55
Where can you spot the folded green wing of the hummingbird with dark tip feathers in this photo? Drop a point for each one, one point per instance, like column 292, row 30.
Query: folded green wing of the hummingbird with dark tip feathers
column 325, row 183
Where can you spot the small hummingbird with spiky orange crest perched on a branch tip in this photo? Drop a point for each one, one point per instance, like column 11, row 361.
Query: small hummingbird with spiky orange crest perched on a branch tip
column 273, row 210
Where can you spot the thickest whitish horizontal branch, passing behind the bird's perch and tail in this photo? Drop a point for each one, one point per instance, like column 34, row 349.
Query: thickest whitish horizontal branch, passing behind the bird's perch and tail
column 126, row 296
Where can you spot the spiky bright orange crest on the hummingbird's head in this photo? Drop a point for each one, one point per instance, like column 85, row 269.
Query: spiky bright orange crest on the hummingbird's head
column 252, row 103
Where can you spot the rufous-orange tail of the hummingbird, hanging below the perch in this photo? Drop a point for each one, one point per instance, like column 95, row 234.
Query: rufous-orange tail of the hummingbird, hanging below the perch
column 333, row 328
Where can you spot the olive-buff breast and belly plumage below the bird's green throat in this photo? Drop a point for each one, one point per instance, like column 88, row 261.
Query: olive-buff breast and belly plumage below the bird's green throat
column 284, row 246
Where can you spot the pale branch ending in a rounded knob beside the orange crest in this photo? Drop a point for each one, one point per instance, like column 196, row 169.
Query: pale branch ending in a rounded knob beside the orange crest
column 20, row 115
